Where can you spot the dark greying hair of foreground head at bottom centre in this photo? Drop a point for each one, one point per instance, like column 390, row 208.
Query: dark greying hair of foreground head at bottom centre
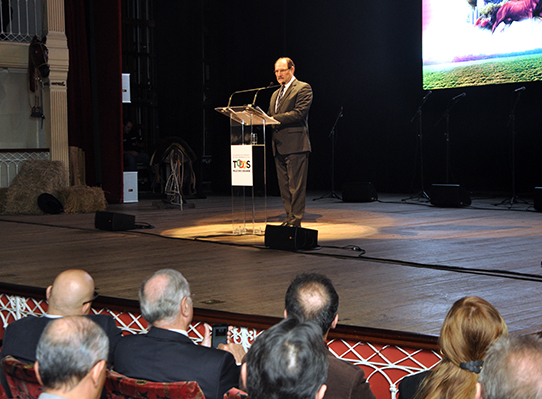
column 288, row 361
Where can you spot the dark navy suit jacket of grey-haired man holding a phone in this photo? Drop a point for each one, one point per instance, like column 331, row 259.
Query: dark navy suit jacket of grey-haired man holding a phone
column 167, row 356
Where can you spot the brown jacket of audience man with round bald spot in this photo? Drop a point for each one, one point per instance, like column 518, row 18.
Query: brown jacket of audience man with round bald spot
column 346, row 381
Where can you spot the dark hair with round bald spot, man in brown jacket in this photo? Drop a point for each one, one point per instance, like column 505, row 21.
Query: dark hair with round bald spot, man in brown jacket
column 312, row 297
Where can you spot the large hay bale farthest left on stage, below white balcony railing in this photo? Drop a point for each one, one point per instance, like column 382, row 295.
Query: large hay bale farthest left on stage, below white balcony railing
column 34, row 178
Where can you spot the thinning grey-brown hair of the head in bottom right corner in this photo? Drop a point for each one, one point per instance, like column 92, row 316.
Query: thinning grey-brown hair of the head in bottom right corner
column 513, row 369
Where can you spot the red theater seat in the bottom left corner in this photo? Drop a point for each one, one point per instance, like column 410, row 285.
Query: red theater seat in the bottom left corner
column 21, row 378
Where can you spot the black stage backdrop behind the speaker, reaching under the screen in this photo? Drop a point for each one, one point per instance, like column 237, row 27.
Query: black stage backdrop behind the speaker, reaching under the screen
column 364, row 56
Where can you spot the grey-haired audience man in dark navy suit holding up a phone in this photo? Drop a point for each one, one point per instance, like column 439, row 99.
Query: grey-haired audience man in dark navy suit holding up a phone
column 166, row 353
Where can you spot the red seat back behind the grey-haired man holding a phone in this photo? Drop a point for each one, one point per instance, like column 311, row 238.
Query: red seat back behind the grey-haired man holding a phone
column 119, row 386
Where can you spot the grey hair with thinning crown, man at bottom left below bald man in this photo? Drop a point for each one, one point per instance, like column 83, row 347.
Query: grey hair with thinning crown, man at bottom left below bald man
column 68, row 349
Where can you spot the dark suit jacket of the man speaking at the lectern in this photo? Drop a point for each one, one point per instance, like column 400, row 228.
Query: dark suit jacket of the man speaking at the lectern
column 292, row 135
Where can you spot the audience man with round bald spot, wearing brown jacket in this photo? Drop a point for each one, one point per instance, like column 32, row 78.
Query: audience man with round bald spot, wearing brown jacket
column 312, row 297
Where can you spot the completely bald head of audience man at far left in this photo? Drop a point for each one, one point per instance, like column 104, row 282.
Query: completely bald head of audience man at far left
column 70, row 290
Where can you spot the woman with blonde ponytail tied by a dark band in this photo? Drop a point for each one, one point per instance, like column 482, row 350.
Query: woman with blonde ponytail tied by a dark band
column 470, row 326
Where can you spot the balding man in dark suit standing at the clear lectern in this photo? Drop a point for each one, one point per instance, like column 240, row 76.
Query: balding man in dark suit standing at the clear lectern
column 291, row 145
